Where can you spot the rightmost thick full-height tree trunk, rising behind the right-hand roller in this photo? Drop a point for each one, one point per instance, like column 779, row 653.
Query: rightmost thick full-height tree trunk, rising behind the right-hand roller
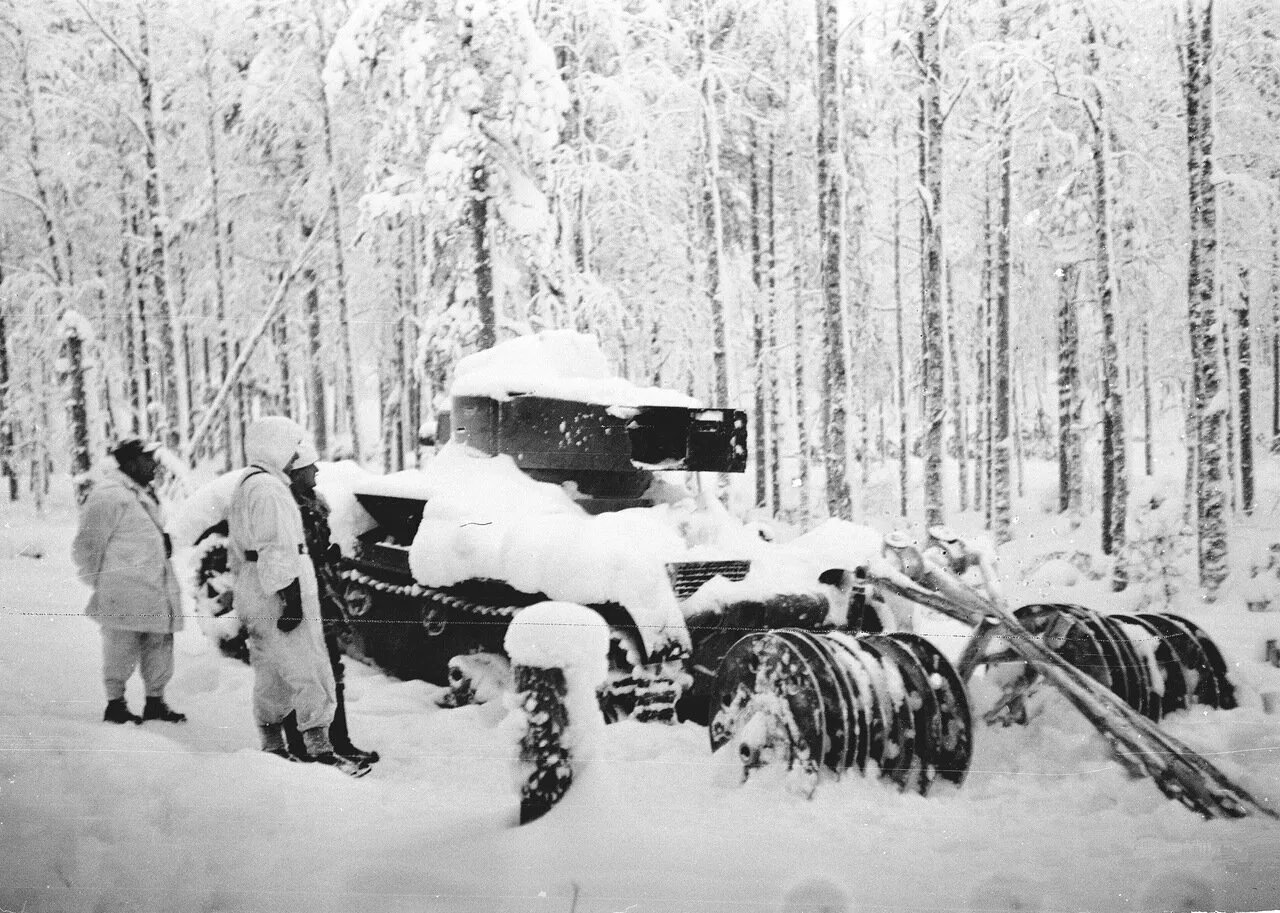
column 1212, row 515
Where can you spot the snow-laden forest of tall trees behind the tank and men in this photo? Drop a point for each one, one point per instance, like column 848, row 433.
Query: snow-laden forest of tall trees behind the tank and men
column 975, row 234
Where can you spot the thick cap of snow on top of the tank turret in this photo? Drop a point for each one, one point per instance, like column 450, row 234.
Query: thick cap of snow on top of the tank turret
column 557, row 364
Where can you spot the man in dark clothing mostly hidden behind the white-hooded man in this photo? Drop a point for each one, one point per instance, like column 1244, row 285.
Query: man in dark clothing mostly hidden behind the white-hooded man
column 324, row 558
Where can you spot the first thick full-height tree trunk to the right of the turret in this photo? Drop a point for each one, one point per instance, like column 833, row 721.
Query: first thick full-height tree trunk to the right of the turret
column 830, row 230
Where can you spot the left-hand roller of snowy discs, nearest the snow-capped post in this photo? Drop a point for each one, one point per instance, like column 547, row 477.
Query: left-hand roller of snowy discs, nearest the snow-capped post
column 888, row 705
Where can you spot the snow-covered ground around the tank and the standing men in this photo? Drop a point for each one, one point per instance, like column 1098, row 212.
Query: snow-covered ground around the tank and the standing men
column 159, row 818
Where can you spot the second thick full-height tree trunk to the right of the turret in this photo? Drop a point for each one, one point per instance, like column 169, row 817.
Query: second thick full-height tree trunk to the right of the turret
column 932, row 322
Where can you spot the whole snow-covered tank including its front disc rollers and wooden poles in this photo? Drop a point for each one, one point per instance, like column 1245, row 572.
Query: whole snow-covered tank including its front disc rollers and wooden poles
column 557, row 482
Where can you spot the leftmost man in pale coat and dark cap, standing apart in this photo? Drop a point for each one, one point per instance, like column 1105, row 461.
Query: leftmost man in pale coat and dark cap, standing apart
column 122, row 551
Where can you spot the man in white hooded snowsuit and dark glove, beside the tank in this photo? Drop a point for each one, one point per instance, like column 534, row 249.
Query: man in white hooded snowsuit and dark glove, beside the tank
column 276, row 596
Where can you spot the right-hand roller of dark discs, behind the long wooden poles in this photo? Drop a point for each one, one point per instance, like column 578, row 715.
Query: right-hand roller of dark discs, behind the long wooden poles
column 1155, row 663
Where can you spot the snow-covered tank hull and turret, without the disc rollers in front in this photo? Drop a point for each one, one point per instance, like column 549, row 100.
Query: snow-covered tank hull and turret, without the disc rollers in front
column 559, row 481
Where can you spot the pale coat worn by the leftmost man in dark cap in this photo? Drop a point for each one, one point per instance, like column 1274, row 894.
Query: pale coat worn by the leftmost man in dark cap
column 120, row 551
